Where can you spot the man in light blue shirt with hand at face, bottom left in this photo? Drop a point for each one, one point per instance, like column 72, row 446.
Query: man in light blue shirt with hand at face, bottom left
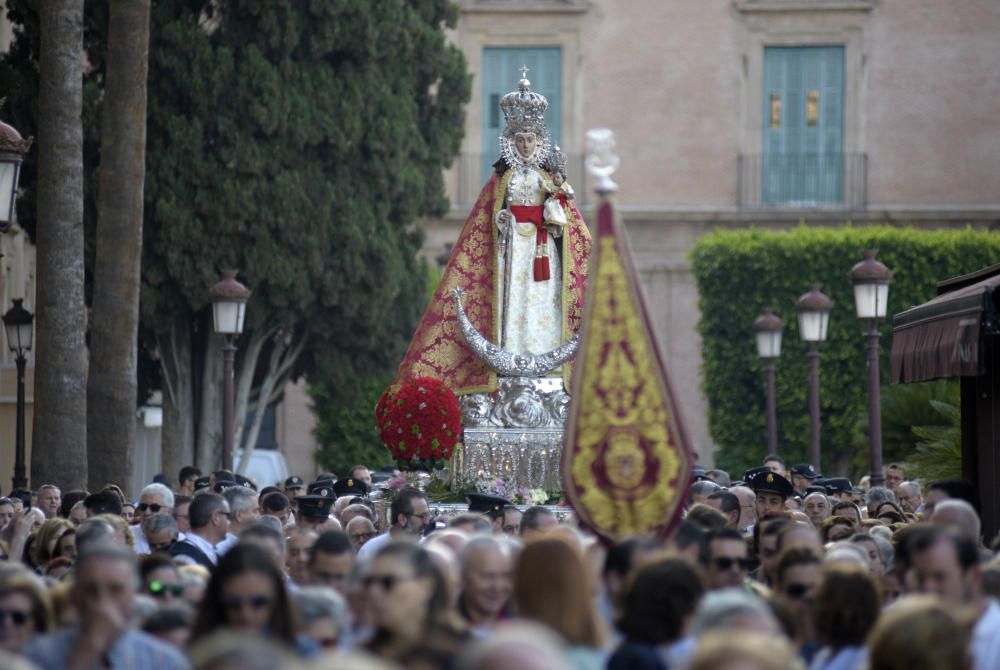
column 104, row 588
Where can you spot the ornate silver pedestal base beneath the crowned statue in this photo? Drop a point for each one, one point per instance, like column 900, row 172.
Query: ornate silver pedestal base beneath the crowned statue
column 515, row 433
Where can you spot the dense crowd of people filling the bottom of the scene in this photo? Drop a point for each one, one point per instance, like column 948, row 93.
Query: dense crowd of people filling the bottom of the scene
column 781, row 570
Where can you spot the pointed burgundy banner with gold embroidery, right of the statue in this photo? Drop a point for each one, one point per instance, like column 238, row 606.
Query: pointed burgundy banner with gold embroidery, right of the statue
column 626, row 460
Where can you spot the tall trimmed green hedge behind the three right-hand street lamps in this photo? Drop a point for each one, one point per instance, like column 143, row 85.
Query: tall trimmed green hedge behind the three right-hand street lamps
column 739, row 273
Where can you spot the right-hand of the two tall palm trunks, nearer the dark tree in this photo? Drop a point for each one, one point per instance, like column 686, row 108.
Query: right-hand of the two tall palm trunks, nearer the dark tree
column 111, row 388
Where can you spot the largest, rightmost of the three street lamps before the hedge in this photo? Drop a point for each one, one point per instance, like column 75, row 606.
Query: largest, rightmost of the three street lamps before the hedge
column 871, row 297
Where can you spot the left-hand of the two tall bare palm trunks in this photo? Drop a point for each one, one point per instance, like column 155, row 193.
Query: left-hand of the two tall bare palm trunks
column 59, row 442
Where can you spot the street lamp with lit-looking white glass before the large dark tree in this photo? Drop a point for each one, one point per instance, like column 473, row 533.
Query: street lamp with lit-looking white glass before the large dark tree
column 229, row 302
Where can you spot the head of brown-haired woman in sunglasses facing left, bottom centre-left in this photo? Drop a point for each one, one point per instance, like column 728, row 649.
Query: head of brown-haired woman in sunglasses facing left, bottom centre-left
column 410, row 607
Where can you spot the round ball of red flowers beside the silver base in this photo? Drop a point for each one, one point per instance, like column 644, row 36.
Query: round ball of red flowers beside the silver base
column 420, row 422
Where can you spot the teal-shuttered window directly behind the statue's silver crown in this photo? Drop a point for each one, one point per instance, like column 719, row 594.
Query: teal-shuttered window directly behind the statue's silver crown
column 501, row 72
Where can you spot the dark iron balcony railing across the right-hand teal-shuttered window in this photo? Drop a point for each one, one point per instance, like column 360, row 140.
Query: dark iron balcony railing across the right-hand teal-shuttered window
column 803, row 180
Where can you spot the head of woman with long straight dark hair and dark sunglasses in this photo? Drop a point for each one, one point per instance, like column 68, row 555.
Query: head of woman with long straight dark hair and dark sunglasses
column 247, row 593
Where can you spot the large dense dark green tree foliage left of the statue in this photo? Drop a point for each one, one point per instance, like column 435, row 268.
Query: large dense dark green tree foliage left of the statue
column 296, row 142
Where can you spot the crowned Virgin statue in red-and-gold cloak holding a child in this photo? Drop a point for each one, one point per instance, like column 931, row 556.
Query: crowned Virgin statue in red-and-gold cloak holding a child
column 520, row 260
